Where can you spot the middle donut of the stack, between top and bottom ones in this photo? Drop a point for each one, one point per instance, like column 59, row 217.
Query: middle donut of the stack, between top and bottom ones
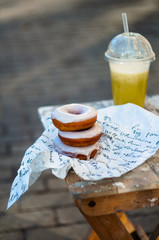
column 81, row 138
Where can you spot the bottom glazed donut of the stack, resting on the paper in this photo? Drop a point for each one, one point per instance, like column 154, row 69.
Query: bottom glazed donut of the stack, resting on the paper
column 83, row 153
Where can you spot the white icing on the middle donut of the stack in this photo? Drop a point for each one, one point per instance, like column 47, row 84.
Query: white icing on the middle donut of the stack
column 87, row 133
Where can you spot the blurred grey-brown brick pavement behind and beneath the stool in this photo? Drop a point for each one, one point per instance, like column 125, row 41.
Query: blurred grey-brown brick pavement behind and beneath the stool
column 52, row 52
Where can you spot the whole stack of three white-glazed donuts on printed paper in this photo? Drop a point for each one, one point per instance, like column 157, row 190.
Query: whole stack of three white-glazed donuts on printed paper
column 78, row 131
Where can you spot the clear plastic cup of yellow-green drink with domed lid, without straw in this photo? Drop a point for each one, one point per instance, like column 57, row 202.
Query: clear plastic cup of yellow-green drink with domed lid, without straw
column 129, row 56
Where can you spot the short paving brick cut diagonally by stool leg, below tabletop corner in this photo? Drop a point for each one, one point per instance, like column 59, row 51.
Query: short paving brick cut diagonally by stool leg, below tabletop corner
column 69, row 215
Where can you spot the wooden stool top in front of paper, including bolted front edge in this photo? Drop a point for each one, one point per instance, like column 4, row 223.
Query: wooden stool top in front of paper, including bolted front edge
column 138, row 188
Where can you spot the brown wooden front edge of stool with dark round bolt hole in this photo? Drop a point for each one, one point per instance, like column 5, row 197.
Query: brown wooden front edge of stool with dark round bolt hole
column 120, row 202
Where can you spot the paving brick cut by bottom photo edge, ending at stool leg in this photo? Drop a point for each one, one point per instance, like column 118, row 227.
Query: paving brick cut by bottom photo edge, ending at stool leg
column 74, row 232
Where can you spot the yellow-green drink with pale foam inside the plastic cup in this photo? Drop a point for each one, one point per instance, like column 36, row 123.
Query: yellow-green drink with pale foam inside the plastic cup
column 129, row 87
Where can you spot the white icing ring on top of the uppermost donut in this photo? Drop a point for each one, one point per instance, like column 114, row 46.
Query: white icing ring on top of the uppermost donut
column 73, row 113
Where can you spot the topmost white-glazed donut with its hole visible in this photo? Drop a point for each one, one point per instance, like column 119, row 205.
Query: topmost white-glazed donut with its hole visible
column 73, row 117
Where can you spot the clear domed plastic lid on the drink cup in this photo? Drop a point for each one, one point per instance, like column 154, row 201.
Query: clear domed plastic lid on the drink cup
column 129, row 47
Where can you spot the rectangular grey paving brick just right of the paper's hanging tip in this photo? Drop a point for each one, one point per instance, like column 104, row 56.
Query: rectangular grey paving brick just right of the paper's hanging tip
column 33, row 201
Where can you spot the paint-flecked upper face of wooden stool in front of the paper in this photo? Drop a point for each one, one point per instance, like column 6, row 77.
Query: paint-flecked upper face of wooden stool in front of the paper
column 144, row 177
